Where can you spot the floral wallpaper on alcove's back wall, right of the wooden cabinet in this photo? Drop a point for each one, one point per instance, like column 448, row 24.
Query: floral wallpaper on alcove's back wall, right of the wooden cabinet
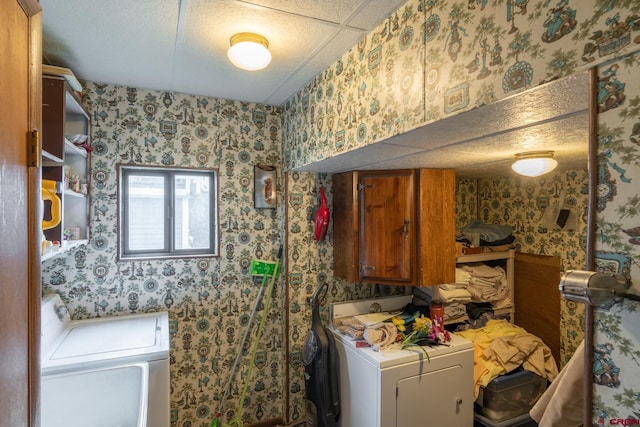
column 520, row 202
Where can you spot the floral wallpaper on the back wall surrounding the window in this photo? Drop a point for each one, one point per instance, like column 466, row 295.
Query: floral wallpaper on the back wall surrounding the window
column 209, row 300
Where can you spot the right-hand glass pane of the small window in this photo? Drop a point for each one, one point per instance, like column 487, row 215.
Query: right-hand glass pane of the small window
column 192, row 211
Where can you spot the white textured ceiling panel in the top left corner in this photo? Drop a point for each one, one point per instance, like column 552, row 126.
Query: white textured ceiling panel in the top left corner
column 99, row 46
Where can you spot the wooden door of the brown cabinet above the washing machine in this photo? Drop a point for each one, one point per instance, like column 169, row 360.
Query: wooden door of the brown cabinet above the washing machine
column 387, row 226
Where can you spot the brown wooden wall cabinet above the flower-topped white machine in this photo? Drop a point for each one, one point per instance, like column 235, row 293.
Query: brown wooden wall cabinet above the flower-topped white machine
column 394, row 226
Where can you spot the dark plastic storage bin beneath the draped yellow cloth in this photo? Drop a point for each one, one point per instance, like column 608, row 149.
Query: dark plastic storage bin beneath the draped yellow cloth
column 510, row 395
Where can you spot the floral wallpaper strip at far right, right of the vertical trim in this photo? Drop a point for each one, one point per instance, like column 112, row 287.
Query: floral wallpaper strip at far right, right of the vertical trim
column 616, row 352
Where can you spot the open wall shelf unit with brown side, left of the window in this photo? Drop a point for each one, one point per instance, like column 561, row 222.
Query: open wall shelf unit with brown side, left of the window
column 64, row 120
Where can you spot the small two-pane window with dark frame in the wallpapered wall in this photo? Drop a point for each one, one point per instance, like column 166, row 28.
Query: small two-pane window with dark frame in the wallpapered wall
column 167, row 213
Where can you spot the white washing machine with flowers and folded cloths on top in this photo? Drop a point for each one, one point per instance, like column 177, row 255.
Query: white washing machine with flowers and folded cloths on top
column 401, row 388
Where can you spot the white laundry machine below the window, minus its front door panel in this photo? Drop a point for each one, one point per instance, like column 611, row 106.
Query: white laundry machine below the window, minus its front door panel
column 68, row 346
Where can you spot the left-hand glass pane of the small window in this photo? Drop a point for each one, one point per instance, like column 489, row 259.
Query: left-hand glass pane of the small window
column 146, row 212
